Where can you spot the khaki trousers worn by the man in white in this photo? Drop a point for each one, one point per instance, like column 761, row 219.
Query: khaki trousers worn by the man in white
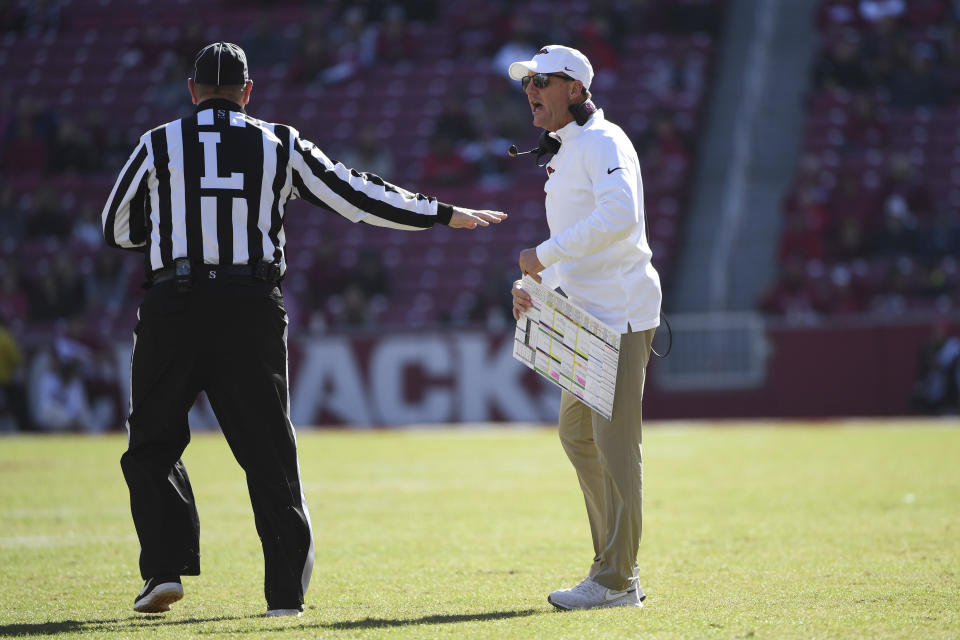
column 607, row 457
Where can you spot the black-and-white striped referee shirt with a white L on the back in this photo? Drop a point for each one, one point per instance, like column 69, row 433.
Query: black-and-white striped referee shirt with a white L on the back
column 212, row 187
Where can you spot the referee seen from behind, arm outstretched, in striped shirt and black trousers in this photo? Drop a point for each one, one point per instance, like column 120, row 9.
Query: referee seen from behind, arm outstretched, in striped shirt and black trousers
column 203, row 198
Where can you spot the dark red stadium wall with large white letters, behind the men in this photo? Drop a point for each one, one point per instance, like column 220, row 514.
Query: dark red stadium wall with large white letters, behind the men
column 439, row 377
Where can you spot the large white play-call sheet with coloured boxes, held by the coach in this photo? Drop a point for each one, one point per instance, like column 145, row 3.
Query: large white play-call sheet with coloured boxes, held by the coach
column 569, row 347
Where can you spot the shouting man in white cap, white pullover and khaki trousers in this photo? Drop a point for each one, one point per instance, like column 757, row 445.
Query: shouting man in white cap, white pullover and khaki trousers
column 599, row 256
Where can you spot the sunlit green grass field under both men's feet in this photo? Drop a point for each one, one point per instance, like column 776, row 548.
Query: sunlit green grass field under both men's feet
column 751, row 531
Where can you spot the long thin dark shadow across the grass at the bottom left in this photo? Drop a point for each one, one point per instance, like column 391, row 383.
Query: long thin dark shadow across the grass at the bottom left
column 120, row 624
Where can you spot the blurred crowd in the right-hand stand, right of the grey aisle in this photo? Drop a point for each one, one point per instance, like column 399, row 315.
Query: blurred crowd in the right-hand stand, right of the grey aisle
column 872, row 220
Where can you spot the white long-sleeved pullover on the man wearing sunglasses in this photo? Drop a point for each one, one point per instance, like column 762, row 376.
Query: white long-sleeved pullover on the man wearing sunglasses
column 598, row 251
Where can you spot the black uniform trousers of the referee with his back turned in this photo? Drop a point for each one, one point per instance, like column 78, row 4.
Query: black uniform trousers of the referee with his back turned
column 226, row 337
